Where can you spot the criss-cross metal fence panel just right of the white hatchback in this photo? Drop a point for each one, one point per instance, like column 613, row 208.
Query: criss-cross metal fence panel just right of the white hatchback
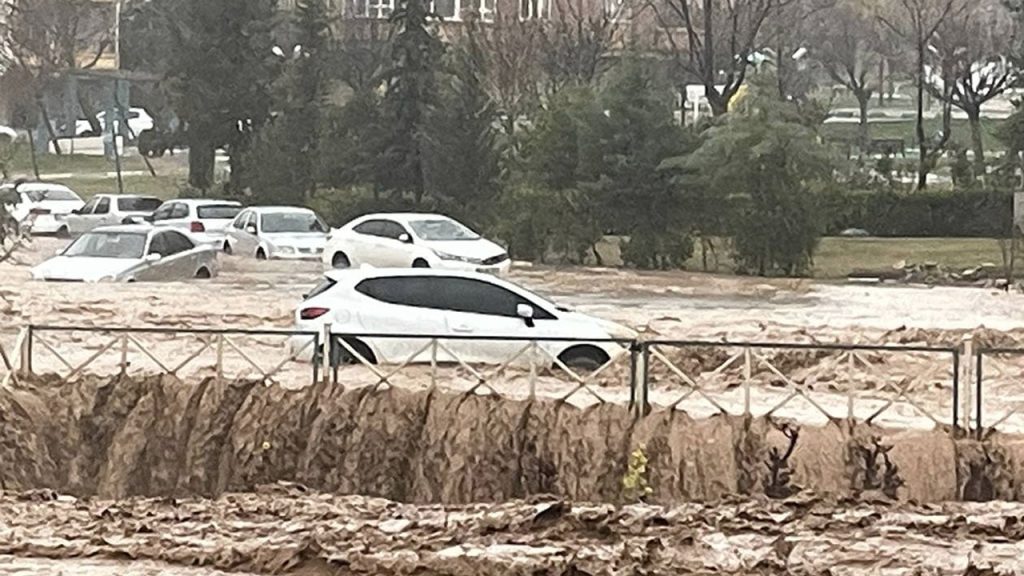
column 916, row 387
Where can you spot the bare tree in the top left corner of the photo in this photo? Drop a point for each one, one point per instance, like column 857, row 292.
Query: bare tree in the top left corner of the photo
column 49, row 38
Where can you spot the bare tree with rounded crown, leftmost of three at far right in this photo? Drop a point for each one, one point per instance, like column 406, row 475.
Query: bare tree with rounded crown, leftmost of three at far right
column 847, row 45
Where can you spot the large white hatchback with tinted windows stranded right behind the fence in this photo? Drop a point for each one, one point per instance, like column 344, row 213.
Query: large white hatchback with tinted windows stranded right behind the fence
column 480, row 311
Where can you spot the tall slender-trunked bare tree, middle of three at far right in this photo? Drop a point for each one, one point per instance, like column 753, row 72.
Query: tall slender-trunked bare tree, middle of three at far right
column 916, row 23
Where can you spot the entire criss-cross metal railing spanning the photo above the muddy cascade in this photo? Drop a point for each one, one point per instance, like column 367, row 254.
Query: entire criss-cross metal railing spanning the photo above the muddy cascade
column 885, row 385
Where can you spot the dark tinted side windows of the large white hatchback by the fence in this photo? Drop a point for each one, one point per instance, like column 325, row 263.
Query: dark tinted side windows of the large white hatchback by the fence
column 455, row 295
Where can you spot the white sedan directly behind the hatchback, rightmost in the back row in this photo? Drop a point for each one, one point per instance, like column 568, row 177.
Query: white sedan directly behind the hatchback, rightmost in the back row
column 413, row 240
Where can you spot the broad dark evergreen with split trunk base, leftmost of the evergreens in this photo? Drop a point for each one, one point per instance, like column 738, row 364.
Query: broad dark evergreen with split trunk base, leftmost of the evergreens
column 222, row 75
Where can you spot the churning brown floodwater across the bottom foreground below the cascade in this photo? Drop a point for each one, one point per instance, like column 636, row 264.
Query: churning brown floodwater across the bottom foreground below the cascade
column 289, row 529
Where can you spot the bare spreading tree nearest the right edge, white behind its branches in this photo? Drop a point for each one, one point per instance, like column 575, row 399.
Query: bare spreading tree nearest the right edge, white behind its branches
column 972, row 51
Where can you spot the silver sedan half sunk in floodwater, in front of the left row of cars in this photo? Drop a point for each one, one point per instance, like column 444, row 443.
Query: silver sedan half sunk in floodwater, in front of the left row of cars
column 131, row 254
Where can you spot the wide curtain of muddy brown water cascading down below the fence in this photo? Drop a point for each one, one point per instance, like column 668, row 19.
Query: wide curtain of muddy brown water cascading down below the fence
column 161, row 437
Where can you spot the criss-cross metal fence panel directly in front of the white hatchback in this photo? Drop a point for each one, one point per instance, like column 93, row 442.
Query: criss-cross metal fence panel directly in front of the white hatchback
column 566, row 369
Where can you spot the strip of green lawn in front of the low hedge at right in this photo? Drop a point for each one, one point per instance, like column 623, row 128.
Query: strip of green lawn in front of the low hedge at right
column 839, row 257
